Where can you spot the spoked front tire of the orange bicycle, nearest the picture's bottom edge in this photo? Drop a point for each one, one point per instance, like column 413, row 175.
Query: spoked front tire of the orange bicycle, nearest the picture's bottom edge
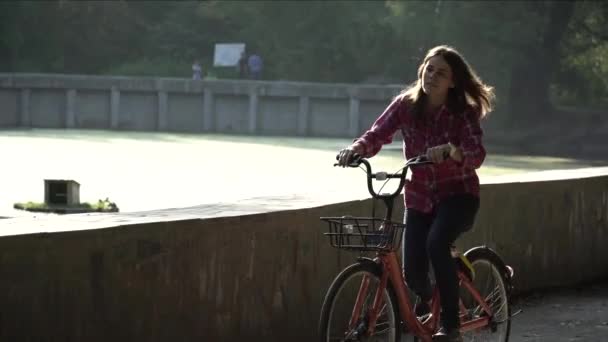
column 390, row 330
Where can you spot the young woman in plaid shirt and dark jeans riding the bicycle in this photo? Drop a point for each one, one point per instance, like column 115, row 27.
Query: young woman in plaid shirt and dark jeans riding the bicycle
column 439, row 115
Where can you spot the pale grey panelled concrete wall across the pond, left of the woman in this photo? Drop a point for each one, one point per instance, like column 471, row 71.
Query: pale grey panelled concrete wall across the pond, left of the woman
column 182, row 105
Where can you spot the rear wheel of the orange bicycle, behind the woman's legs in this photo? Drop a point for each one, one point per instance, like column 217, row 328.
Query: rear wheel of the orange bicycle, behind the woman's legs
column 490, row 281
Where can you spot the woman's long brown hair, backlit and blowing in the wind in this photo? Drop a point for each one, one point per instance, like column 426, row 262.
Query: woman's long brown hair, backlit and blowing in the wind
column 468, row 89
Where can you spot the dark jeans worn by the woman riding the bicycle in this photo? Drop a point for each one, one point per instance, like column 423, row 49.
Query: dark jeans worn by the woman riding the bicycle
column 429, row 236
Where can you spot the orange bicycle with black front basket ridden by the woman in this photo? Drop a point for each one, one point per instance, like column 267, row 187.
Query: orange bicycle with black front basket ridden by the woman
column 370, row 300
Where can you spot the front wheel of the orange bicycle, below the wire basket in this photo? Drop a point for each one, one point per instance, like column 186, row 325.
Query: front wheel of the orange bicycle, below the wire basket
column 347, row 305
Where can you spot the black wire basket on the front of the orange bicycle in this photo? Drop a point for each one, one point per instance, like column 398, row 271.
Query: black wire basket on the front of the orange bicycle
column 364, row 233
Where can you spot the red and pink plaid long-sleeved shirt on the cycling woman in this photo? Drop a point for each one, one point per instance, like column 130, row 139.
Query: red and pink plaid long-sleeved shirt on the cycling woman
column 433, row 182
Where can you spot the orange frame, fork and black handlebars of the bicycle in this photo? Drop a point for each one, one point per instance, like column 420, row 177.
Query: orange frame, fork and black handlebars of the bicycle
column 391, row 273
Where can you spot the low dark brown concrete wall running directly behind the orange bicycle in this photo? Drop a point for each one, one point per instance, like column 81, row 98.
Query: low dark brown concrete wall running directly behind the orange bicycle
column 256, row 276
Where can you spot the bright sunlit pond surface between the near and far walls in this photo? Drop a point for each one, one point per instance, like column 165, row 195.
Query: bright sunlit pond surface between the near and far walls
column 144, row 171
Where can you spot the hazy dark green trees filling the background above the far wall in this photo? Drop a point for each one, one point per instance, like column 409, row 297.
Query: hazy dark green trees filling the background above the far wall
column 534, row 52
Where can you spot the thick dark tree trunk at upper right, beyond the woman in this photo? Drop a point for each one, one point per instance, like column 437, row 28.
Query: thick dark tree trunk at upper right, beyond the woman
column 530, row 81
